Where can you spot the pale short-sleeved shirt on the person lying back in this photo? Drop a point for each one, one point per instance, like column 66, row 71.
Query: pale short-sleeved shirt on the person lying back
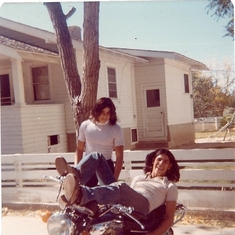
column 157, row 190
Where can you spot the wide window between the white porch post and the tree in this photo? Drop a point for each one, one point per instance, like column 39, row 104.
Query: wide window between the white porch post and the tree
column 41, row 83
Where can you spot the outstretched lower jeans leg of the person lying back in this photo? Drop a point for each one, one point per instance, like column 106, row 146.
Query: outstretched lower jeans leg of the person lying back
column 115, row 193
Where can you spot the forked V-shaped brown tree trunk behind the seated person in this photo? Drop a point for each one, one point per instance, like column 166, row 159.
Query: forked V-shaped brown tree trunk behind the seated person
column 82, row 92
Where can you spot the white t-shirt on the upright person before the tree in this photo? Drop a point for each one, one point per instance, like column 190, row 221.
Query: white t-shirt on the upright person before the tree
column 101, row 138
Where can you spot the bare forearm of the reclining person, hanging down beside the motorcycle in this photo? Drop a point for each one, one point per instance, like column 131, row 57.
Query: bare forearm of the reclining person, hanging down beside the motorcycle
column 168, row 221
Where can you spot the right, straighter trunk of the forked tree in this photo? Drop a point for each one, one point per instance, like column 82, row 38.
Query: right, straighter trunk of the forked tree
column 90, row 57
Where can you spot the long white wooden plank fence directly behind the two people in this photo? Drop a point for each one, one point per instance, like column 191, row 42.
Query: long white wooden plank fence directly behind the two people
column 207, row 177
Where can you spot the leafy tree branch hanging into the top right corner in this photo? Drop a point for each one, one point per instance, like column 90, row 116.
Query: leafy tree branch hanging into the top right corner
column 224, row 8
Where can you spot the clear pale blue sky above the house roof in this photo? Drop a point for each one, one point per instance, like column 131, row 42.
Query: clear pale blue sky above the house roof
column 182, row 26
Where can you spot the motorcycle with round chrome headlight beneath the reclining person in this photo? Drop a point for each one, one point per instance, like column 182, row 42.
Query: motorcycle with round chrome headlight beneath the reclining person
column 94, row 219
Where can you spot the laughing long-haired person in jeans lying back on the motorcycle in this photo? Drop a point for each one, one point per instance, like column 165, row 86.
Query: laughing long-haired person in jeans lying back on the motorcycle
column 145, row 193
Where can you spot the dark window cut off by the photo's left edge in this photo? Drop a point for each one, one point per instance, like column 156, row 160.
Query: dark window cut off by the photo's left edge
column 5, row 90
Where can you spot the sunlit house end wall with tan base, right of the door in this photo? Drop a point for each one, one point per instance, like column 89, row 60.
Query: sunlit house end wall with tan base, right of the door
column 180, row 129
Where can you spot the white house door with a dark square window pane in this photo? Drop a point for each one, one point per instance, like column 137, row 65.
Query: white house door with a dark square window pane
column 153, row 114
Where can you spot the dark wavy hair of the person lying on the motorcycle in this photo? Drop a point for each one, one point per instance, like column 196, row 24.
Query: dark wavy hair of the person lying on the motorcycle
column 173, row 174
